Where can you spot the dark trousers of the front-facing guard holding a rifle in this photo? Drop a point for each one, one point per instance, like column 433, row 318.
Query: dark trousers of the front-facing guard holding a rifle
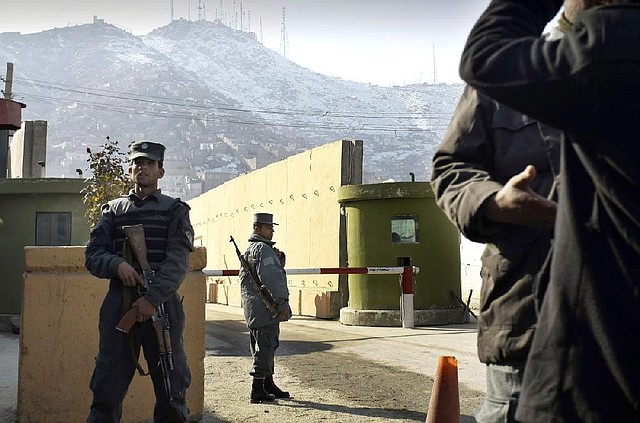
column 115, row 366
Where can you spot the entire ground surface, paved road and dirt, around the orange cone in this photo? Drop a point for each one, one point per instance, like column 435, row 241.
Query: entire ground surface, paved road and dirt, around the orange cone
column 334, row 374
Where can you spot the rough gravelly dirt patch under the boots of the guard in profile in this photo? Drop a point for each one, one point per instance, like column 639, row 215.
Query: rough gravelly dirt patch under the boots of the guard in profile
column 366, row 393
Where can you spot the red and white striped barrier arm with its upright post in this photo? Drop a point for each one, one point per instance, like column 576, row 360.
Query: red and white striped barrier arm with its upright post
column 407, row 281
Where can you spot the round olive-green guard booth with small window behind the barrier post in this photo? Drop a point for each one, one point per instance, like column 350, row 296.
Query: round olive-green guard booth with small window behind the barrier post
column 399, row 224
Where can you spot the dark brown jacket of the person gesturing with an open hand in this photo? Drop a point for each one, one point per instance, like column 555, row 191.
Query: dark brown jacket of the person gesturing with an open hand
column 486, row 144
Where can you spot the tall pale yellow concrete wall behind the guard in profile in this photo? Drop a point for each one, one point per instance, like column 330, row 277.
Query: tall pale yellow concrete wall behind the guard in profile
column 301, row 192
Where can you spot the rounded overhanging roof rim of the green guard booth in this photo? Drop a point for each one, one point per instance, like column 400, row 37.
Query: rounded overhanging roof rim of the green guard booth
column 387, row 190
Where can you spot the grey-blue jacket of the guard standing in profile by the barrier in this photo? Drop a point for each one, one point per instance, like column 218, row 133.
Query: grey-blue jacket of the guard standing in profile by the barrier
column 270, row 271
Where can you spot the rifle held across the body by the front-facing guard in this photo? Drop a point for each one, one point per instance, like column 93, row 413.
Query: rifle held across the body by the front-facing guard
column 135, row 237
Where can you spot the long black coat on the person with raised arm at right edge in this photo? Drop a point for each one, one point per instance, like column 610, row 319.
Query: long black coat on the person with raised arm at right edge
column 583, row 364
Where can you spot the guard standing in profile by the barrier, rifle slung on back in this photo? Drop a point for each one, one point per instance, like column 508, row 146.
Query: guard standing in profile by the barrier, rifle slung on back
column 264, row 331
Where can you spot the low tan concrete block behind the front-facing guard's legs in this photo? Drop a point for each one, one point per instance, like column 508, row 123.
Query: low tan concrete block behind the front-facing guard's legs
column 59, row 339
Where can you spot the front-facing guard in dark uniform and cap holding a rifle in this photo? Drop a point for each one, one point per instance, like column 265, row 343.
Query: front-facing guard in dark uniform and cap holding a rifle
column 169, row 240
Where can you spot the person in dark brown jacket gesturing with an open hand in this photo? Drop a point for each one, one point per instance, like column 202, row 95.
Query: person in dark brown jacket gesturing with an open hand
column 491, row 177
